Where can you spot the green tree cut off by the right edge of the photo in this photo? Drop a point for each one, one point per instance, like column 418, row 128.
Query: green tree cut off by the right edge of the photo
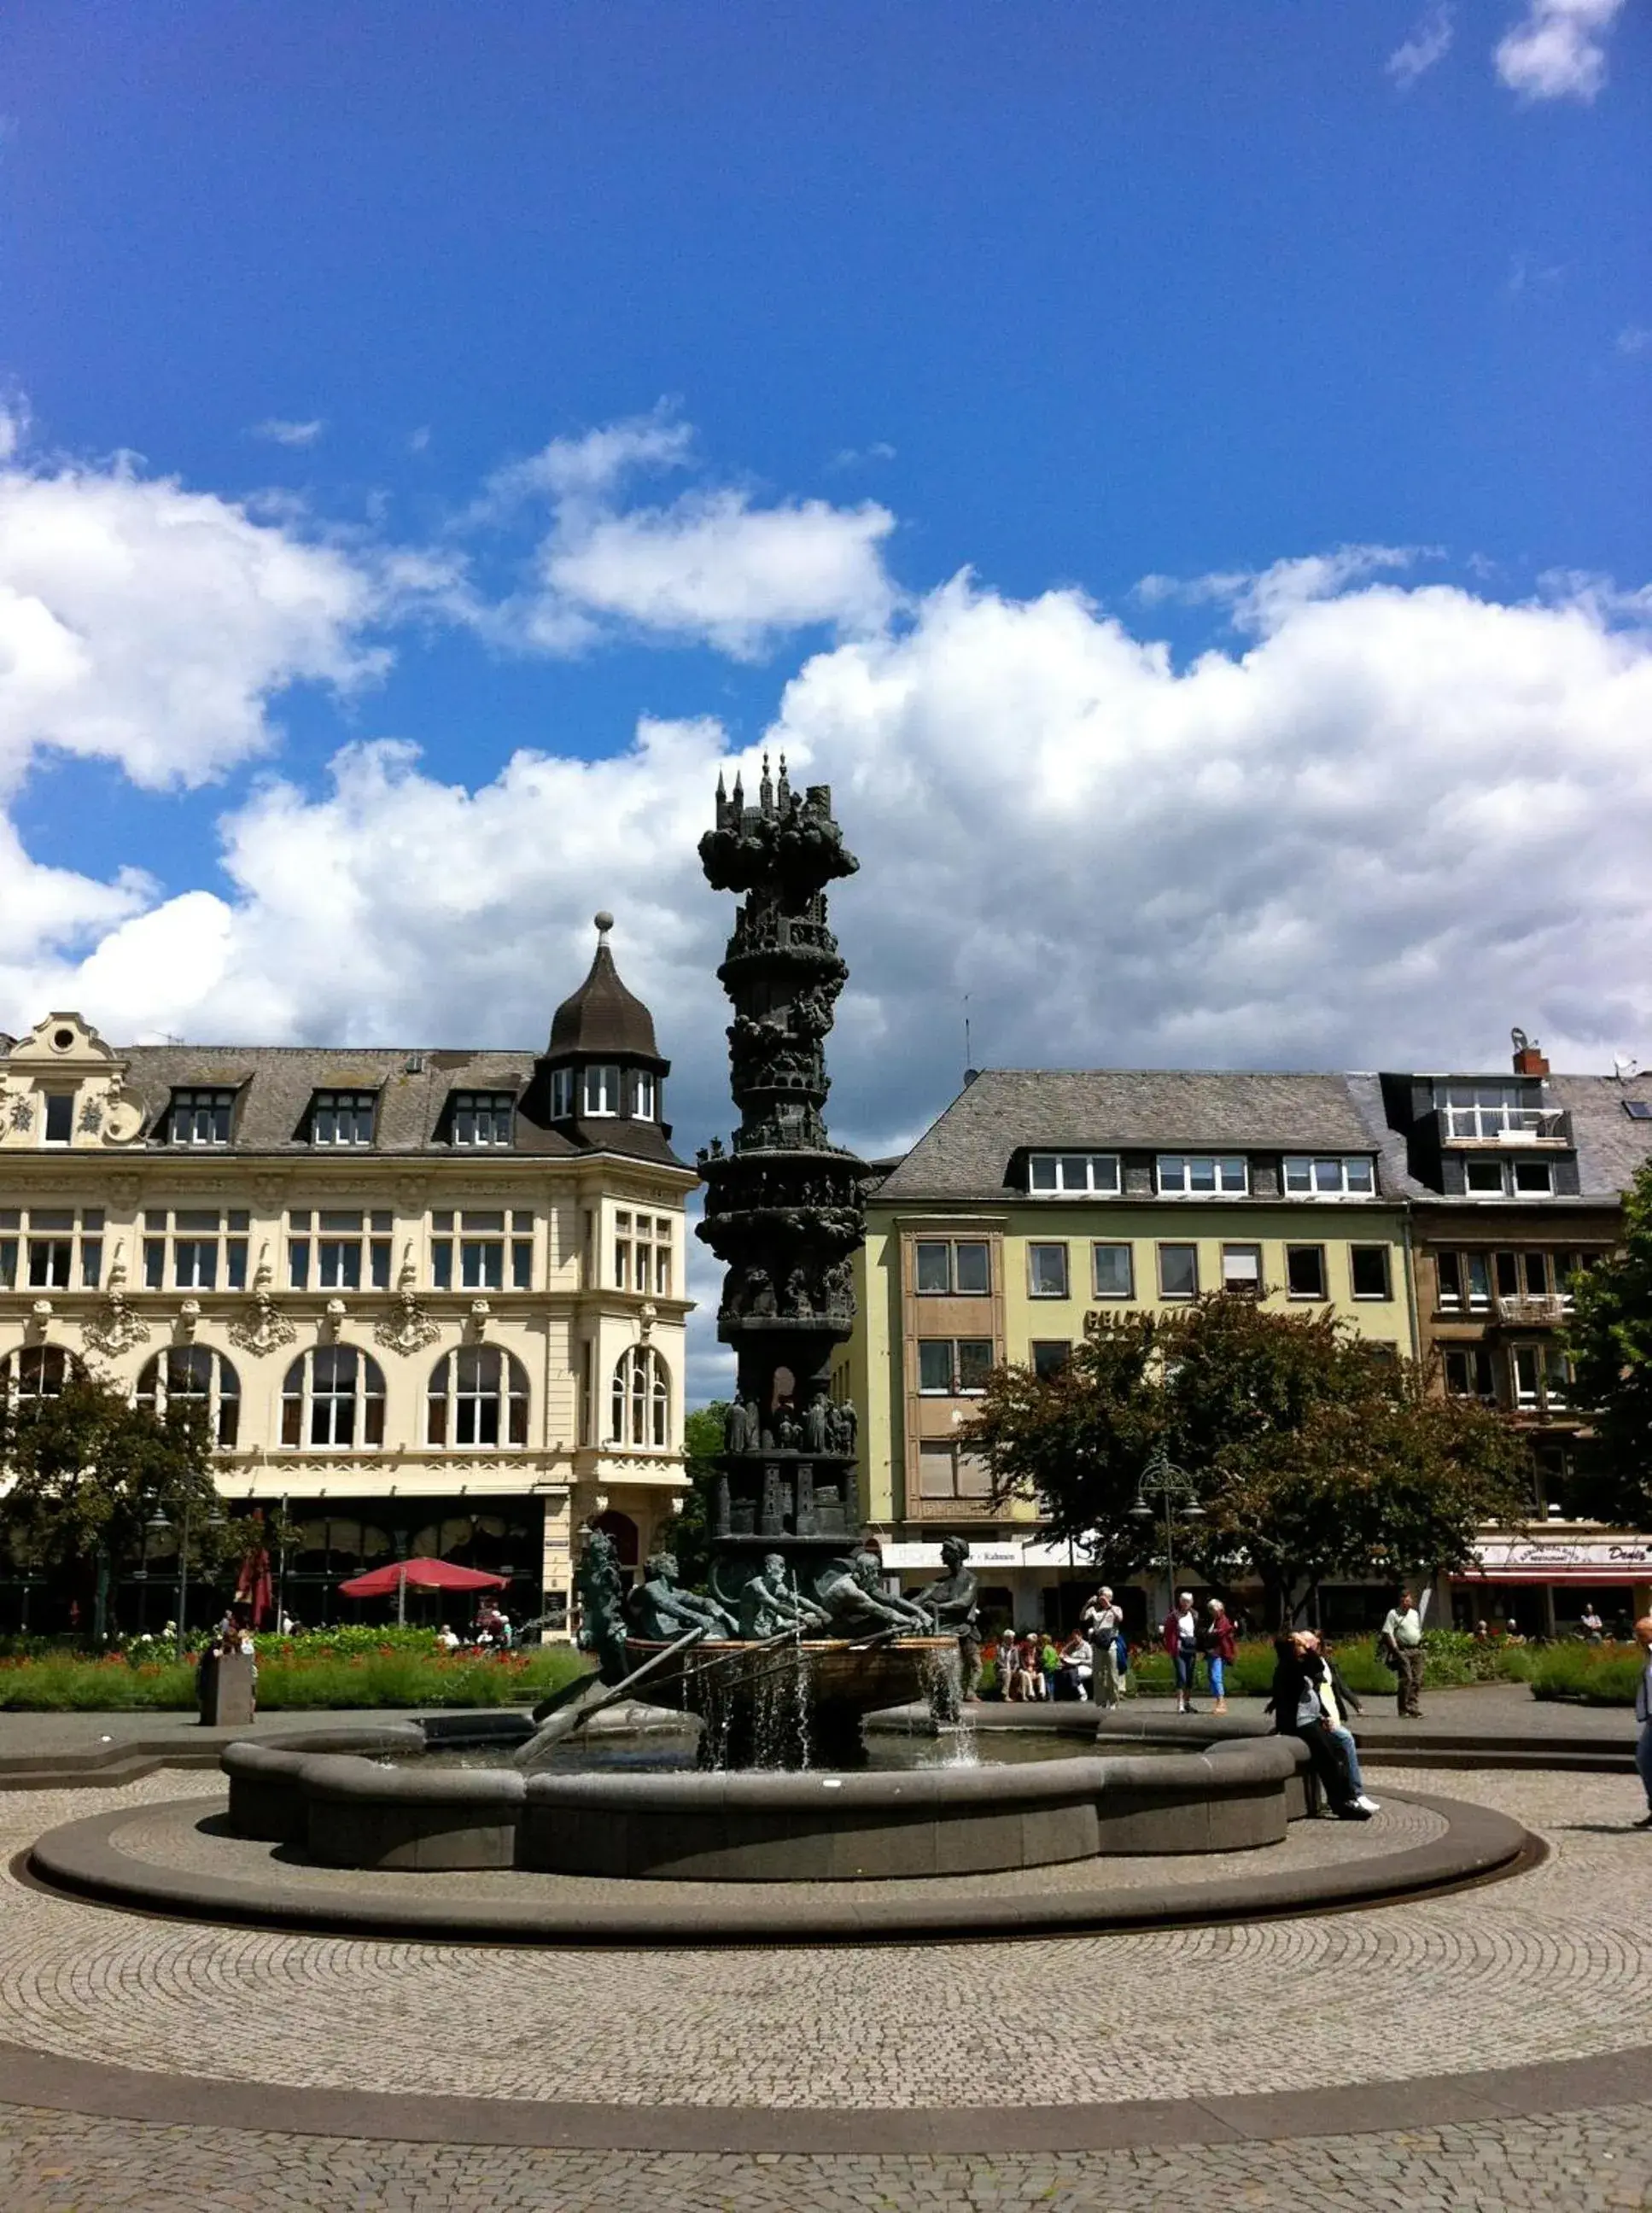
column 1611, row 1347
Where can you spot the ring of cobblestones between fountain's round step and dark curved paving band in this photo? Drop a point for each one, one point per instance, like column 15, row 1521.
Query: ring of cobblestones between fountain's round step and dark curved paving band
column 1549, row 1966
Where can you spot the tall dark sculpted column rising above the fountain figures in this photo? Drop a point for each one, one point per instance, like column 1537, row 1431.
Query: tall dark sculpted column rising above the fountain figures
column 784, row 1207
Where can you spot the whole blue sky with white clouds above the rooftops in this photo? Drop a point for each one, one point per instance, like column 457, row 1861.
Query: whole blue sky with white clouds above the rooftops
column 872, row 360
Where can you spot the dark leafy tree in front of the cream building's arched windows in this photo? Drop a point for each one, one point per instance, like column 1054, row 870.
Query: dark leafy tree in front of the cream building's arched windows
column 87, row 1475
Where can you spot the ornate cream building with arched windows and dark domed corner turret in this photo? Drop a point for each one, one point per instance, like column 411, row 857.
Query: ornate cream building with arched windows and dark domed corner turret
column 430, row 1300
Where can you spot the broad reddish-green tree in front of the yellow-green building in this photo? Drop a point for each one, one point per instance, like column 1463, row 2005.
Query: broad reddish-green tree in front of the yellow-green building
column 1308, row 1451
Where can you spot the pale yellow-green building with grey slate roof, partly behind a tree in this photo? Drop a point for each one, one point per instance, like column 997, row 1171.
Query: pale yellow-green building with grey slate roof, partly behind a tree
column 1043, row 1196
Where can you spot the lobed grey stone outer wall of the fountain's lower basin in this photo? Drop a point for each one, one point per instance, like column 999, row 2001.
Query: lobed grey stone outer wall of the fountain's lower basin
column 331, row 1802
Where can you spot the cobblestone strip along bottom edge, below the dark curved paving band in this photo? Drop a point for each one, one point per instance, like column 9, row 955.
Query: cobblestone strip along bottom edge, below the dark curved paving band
column 1587, row 2163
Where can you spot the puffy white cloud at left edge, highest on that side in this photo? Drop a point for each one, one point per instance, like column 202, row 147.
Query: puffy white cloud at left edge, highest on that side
column 151, row 625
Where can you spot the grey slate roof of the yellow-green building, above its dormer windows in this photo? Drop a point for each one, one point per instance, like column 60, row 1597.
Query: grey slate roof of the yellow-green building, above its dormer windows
column 968, row 1152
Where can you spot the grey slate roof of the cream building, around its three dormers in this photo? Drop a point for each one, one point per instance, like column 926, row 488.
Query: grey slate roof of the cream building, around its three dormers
column 275, row 1085
